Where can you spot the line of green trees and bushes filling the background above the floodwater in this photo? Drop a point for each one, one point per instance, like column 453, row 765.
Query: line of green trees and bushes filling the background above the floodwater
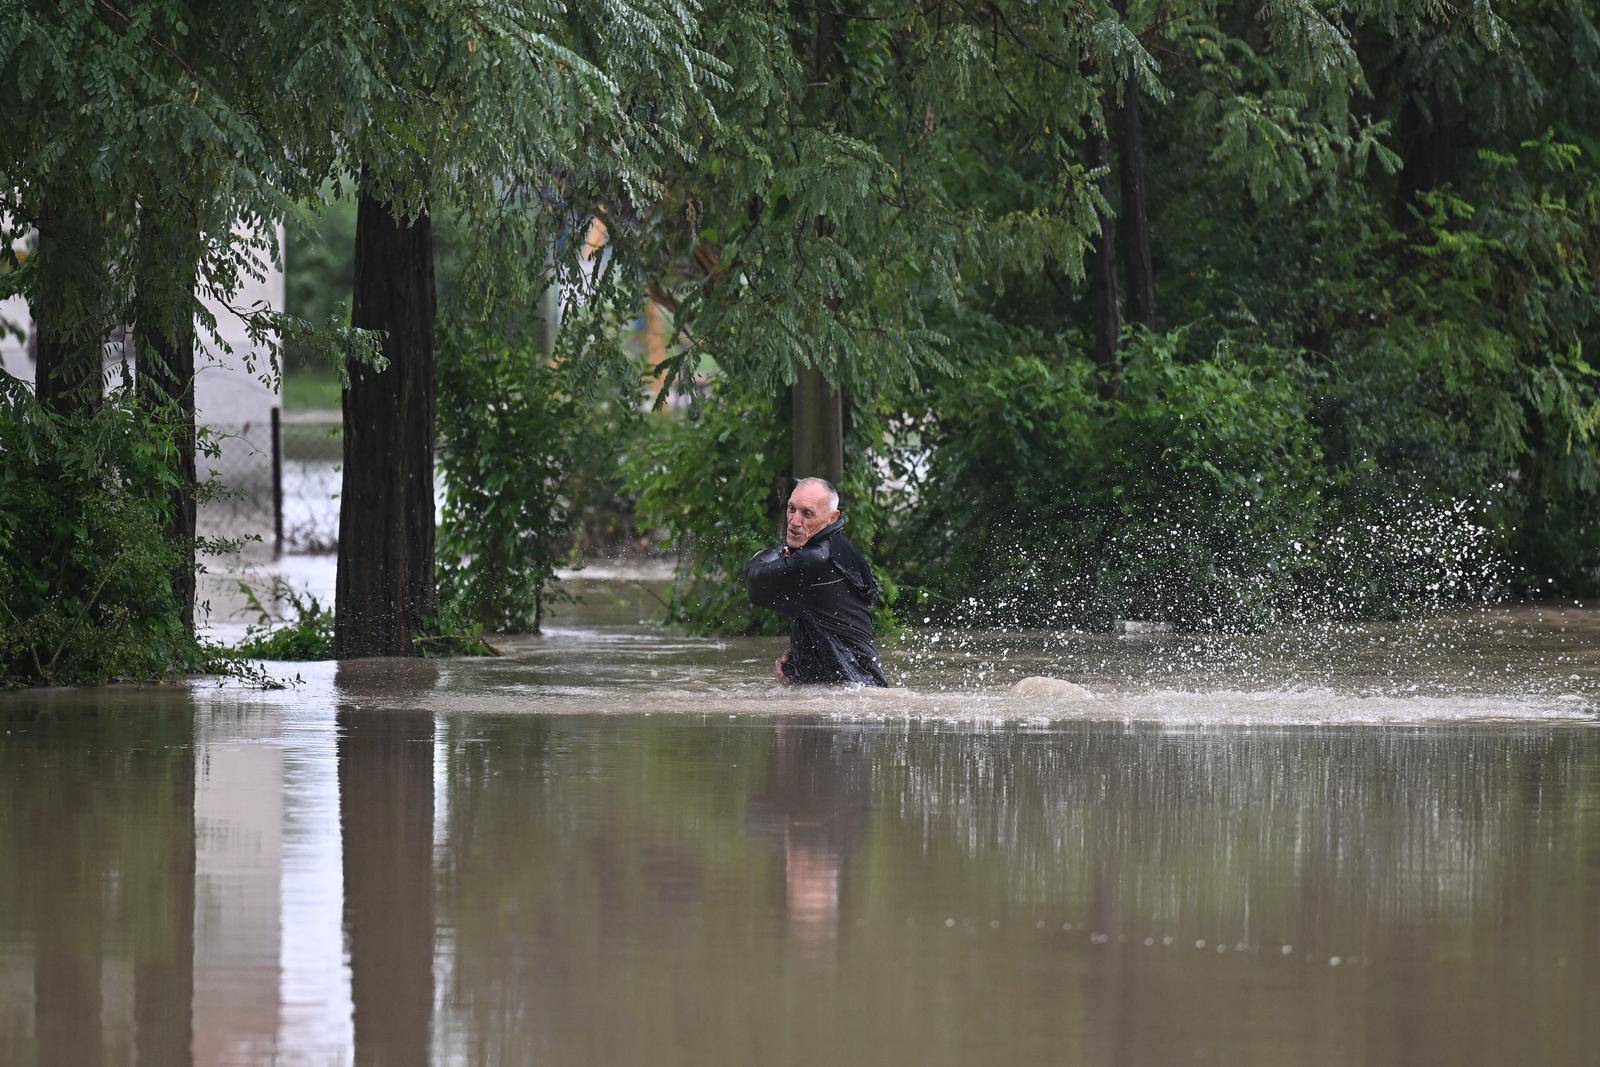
column 1201, row 311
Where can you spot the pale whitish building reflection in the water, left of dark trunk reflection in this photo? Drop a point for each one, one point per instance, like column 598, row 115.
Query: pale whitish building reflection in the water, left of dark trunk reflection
column 271, row 985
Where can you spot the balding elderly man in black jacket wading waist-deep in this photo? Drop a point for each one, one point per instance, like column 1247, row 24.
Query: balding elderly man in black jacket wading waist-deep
column 826, row 589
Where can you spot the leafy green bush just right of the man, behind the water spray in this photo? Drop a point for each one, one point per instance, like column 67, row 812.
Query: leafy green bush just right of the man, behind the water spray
column 1047, row 502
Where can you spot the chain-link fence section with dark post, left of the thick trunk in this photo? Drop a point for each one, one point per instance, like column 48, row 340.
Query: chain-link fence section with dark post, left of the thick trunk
column 278, row 481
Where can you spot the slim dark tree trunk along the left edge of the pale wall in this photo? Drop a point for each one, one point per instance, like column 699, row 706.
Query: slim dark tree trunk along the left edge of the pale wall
column 166, row 330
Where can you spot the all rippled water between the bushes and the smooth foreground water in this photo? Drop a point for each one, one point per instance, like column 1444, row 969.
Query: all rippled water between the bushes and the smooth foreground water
column 1495, row 665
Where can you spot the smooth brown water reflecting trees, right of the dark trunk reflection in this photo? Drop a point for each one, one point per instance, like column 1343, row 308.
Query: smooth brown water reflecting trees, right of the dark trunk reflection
column 628, row 889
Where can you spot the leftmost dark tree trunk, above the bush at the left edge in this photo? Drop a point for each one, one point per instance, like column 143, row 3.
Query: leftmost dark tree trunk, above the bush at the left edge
column 71, row 314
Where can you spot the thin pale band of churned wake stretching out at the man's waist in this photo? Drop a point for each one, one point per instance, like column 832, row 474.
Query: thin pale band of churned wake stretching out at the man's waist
column 706, row 679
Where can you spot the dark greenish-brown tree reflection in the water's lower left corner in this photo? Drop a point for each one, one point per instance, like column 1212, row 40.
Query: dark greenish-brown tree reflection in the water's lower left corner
column 98, row 839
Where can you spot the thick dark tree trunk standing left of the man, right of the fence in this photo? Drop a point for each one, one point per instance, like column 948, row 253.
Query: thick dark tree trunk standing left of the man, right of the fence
column 386, row 508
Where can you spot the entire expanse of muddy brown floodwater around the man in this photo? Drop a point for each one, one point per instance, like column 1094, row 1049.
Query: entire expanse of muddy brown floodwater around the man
column 622, row 847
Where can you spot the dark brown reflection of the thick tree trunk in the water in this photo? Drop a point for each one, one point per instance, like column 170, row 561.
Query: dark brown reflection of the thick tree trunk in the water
column 386, row 821
